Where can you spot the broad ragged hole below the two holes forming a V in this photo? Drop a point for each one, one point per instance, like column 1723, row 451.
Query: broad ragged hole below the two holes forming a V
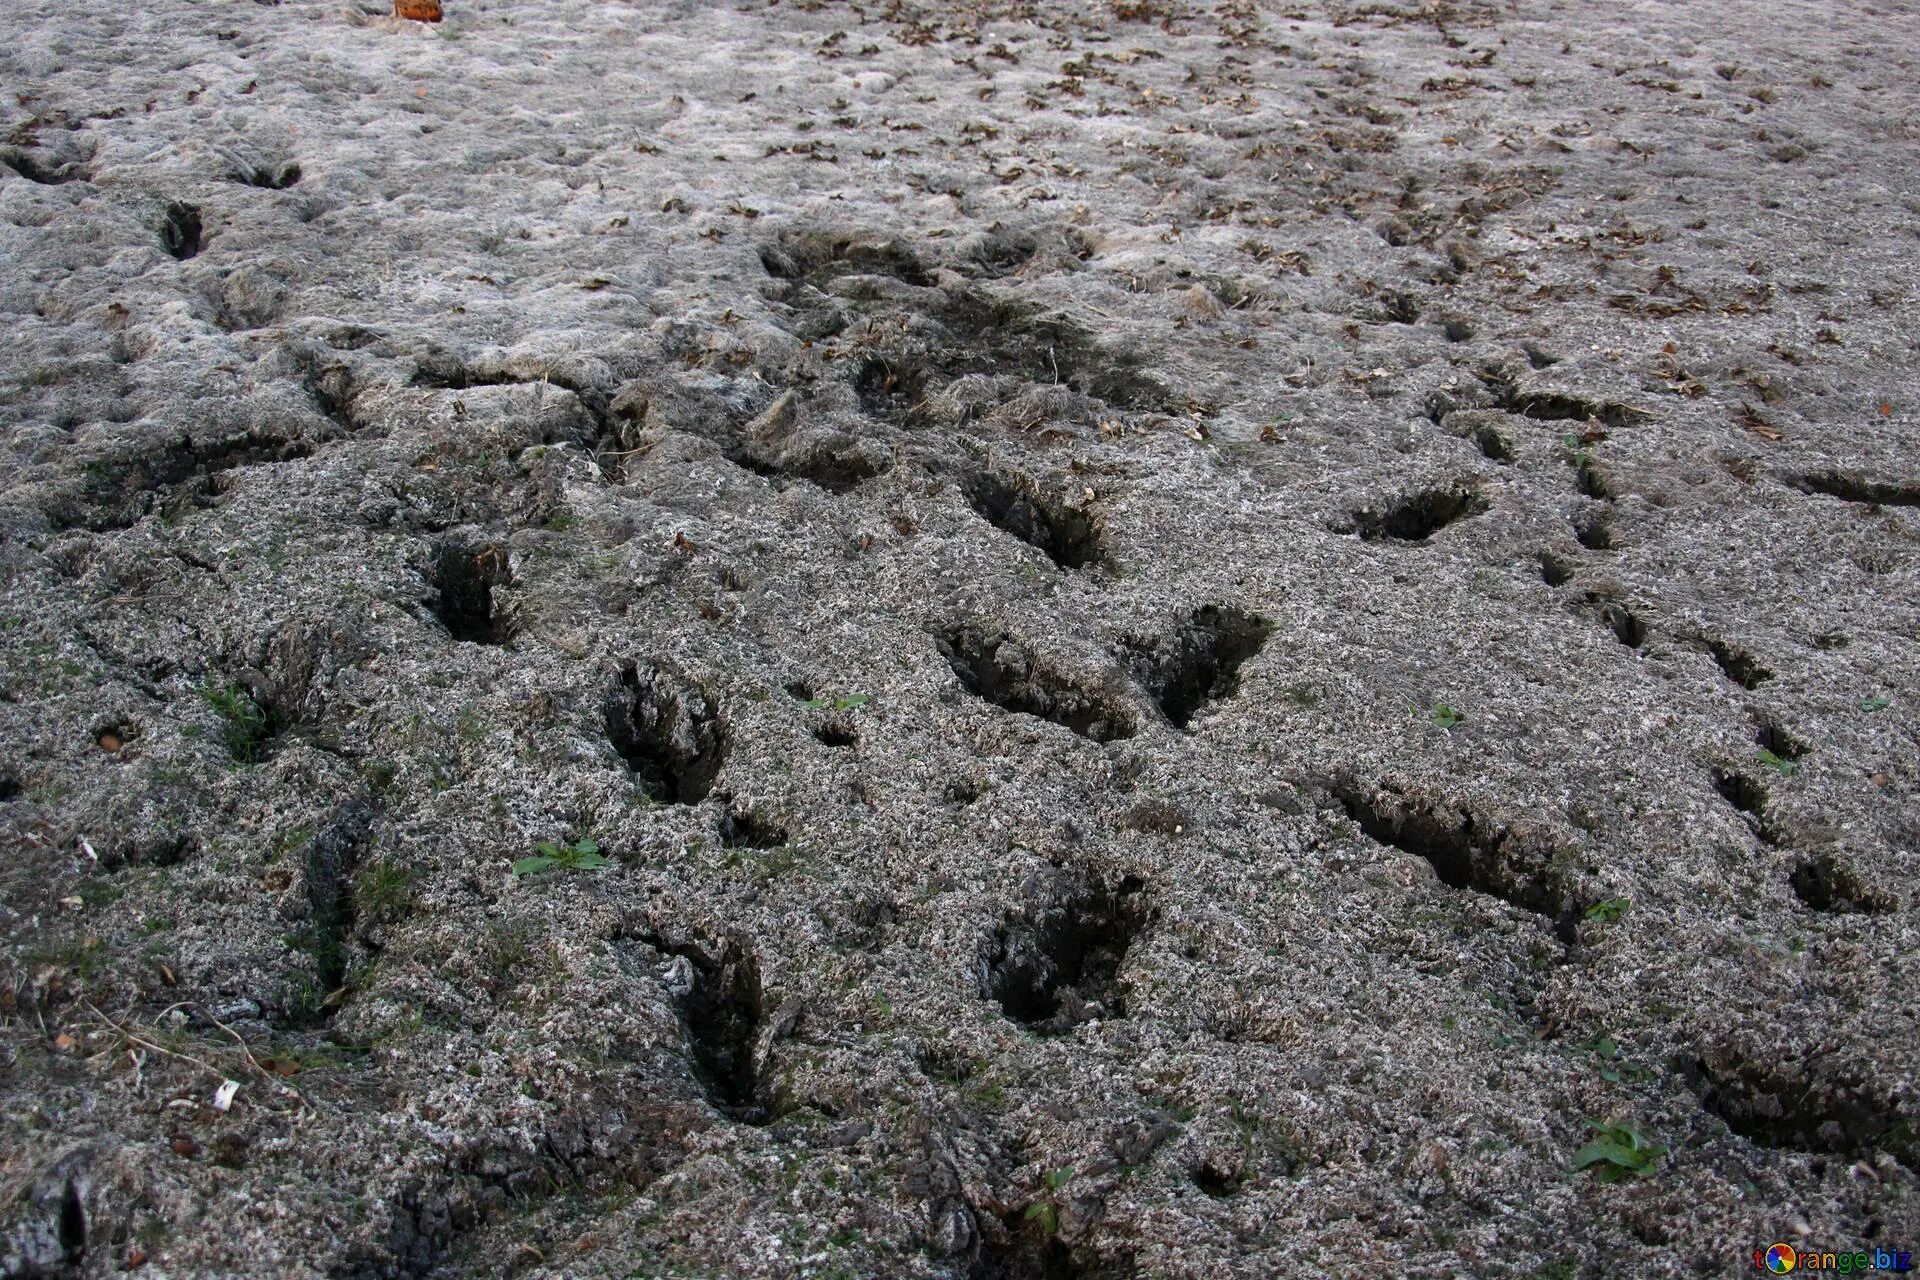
column 1059, row 964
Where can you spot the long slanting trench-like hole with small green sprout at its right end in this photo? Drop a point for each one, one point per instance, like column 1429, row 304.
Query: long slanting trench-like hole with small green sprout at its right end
column 1525, row 868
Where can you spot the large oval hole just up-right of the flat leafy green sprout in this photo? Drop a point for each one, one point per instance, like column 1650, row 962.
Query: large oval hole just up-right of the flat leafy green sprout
column 671, row 736
